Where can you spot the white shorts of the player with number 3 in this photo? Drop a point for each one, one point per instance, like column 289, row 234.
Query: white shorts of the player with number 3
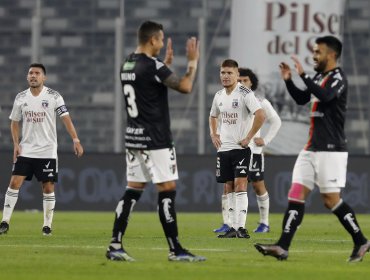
column 158, row 166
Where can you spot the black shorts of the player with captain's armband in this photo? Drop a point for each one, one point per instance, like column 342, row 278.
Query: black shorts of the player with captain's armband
column 44, row 169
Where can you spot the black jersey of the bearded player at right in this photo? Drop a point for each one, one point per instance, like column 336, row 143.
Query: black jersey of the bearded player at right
column 328, row 95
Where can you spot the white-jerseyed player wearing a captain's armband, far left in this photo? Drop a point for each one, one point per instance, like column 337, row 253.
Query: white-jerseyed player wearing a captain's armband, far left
column 36, row 153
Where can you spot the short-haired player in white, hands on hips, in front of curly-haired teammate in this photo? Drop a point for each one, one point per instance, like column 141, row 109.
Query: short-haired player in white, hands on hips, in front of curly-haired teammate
column 232, row 106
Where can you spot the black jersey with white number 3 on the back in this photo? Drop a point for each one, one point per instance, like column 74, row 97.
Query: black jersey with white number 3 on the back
column 148, row 120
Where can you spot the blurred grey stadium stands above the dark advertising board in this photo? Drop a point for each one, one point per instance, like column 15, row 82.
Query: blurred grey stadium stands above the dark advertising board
column 76, row 40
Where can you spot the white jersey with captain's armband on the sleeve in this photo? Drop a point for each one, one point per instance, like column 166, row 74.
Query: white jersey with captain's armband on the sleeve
column 38, row 115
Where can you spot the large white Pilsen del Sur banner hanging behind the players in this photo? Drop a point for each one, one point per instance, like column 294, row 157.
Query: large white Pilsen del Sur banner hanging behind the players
column 265, row 33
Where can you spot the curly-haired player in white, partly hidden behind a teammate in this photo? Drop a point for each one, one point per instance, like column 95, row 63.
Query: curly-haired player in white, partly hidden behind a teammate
column 249, row 79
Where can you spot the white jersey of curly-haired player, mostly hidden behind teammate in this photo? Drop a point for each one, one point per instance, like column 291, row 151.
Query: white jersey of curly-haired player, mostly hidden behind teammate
column 272, row 118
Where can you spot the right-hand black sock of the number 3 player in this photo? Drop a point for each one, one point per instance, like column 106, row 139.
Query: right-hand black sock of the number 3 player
column 167, row 216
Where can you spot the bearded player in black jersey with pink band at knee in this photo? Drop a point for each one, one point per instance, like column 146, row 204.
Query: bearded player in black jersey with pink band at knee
column 323, row 161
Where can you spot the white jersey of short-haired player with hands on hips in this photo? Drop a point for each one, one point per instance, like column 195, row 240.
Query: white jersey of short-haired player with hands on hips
column 233, row 112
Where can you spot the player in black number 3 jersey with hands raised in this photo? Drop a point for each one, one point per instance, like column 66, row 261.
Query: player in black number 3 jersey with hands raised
column 150, row 153
